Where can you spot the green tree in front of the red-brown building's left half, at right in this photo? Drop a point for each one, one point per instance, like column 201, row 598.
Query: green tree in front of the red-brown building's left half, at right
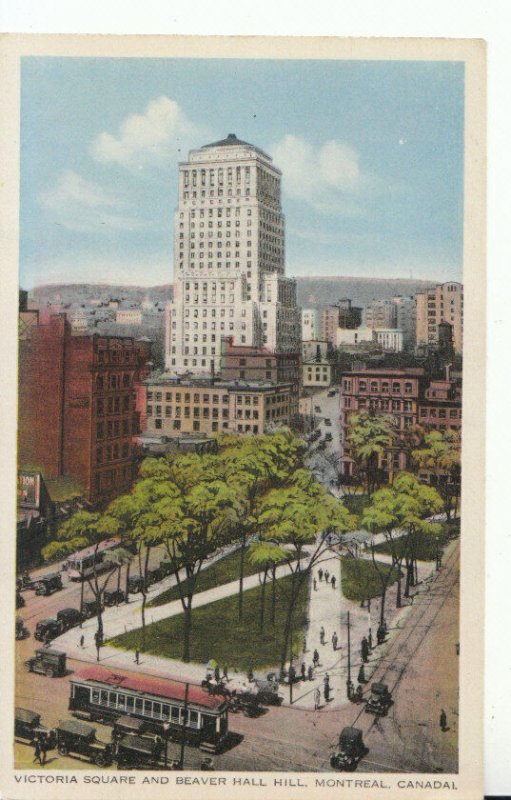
column 370, row 437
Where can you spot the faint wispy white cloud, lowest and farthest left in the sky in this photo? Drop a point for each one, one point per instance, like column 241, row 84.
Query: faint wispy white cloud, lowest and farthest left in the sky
column 81, row 205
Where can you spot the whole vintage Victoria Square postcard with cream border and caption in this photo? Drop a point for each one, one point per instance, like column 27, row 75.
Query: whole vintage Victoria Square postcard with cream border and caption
column 243, row 529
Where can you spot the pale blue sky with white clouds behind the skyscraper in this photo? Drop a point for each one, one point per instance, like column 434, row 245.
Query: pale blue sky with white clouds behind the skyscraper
column 371, row 154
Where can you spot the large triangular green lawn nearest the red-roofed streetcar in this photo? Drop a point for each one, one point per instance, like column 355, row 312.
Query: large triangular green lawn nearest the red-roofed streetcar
column 217, row 633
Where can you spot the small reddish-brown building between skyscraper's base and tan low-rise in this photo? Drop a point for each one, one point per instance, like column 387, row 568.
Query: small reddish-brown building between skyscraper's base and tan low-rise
column 245, row 363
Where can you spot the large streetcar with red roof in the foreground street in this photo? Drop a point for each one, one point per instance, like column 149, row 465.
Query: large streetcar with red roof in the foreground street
column 97, row 693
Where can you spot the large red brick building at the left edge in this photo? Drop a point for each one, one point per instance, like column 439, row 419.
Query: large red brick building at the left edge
column 78, row 406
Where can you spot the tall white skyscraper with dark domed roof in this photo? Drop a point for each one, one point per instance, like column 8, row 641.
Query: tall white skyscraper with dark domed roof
column 229, row 259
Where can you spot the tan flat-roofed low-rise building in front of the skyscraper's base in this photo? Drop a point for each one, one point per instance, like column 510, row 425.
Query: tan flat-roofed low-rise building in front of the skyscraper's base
column 177, row 406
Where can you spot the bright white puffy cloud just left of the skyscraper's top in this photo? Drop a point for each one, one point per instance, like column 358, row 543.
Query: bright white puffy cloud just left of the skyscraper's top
column 146, row 139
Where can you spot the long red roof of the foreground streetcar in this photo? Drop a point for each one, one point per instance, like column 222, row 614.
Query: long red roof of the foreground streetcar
column 162, row 687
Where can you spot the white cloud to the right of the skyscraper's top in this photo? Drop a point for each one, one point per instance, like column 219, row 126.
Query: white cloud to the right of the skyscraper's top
column 329, row 177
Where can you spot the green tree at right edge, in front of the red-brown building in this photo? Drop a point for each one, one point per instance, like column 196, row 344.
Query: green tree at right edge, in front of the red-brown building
column 440, row 457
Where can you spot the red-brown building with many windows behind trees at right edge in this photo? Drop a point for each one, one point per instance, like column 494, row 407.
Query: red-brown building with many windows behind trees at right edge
column 408, row 395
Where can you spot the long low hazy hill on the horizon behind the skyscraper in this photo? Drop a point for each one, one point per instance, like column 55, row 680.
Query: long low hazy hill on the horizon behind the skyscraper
column 312, row 292
